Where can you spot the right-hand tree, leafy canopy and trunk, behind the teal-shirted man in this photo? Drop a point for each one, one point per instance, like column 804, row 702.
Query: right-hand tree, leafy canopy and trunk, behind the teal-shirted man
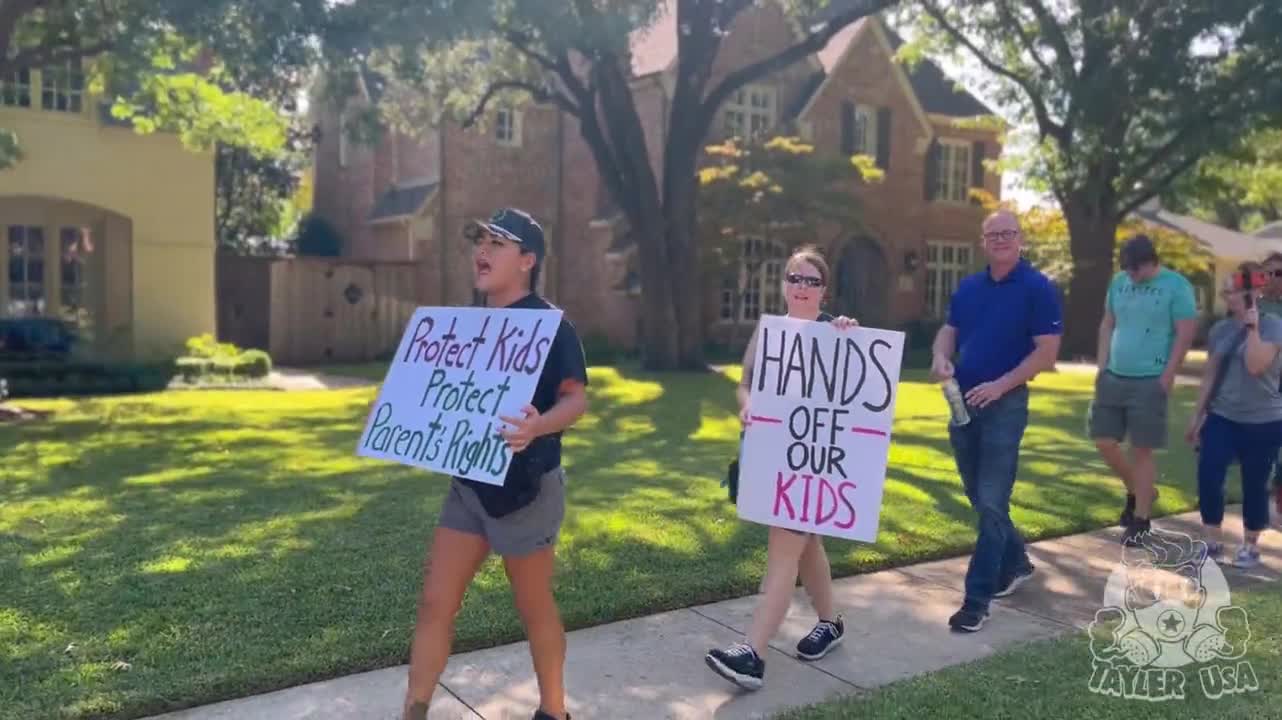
column 1126, row 97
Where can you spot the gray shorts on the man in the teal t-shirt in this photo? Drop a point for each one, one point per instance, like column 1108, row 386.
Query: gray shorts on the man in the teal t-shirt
column 1130, row 407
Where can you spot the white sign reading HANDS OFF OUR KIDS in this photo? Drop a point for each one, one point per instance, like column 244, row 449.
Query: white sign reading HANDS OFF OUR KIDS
column 822, row 405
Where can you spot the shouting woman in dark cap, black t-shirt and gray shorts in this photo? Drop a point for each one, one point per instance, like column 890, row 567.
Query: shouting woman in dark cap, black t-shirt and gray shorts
column 521, row 520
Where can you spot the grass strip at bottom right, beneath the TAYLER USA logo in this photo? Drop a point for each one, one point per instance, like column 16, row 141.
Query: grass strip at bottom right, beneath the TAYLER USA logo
column 1051, row 680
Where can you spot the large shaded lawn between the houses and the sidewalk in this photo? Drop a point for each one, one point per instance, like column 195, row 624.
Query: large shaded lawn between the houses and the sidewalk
column 170, row 550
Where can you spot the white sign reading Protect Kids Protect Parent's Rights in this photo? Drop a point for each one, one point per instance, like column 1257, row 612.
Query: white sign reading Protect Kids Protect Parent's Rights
column 457, row 372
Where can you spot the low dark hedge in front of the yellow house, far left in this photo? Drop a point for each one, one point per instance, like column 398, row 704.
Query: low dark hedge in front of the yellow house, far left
column 80, row 379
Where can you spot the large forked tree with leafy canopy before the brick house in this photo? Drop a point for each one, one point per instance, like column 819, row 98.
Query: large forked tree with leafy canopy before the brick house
column 454, row 57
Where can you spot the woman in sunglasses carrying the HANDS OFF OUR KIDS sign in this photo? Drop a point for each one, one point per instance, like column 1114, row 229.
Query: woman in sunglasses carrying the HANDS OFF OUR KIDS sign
column 789, row 553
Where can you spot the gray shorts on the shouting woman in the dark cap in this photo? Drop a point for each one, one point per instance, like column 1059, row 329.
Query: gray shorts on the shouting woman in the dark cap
column 526, row 531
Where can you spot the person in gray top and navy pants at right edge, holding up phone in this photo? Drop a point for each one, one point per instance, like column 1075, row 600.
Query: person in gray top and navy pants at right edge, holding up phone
column 1239, row 416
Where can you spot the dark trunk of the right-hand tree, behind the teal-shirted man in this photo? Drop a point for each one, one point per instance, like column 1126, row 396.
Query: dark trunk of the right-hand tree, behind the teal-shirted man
column 1093, row 236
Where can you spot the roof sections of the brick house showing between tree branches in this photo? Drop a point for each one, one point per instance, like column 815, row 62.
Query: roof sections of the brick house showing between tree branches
column 654, row 51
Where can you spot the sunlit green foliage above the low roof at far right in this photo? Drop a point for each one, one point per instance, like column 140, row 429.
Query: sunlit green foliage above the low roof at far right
column 1240, row 189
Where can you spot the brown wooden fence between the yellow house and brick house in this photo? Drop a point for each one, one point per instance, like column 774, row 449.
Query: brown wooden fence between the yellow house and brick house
column 313, row 311
